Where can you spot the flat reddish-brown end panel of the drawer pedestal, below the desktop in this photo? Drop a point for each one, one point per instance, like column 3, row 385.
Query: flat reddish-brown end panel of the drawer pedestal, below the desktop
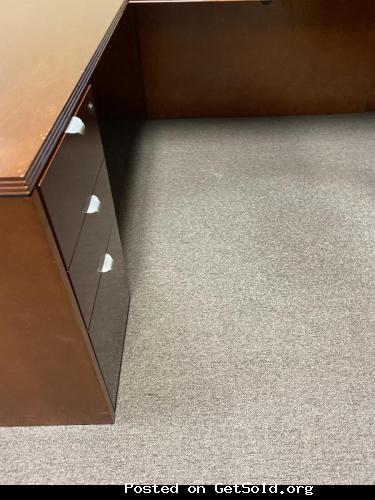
column 48, row 370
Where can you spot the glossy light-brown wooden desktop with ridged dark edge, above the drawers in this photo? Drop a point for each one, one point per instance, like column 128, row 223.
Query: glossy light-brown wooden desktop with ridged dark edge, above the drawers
column 45, row 50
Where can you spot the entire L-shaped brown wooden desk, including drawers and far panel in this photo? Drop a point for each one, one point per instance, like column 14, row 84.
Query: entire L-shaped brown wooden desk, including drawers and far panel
column 59, row 359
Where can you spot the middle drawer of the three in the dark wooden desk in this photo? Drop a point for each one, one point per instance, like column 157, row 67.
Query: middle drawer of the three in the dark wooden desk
column 90, row 250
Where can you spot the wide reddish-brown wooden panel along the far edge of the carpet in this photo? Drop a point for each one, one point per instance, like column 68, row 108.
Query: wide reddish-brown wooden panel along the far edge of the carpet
column 239, row 59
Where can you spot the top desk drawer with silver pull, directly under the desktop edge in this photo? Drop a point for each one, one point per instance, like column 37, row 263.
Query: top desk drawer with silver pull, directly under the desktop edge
column 71, row 174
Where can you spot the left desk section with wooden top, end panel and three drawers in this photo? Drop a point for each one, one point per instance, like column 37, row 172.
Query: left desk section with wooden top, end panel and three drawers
column 60, row 358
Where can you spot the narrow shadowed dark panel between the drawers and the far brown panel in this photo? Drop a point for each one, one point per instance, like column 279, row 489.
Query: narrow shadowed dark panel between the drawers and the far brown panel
column 118, row 81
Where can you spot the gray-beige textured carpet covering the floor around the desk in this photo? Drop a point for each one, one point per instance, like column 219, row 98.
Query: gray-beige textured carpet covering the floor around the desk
column 250, row 351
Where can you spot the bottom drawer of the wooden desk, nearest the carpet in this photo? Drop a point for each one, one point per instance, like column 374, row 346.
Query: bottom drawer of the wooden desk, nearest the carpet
column 108, row 322
